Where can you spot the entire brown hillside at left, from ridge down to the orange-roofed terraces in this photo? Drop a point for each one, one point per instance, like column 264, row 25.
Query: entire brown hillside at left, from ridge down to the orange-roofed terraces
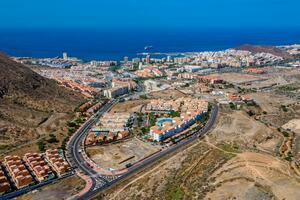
column 31, row 105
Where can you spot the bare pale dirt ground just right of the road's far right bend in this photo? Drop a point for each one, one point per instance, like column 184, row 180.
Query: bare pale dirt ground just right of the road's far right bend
column 237, row 127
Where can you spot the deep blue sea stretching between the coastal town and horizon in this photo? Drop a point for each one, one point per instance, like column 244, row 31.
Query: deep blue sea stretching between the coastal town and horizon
column 114, row 44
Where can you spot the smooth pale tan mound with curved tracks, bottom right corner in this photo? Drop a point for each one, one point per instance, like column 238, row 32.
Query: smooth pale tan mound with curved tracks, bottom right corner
column 255, row 176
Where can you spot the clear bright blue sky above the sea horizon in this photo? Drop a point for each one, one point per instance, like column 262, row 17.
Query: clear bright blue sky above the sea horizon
column 149, row 13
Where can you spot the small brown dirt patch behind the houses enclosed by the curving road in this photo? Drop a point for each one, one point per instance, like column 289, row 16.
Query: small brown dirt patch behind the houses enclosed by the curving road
column 129, row 106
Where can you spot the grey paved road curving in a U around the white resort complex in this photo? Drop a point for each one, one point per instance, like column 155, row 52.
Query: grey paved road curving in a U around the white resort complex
column 100, row 182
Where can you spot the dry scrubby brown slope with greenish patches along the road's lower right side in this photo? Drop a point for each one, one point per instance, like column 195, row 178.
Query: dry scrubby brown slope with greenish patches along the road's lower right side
column 183, row 175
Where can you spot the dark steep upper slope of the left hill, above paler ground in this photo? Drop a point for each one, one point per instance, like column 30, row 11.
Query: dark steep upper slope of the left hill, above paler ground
column 20, row 85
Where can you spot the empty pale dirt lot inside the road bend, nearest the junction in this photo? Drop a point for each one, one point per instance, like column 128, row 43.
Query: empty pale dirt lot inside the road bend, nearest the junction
column 111, row 156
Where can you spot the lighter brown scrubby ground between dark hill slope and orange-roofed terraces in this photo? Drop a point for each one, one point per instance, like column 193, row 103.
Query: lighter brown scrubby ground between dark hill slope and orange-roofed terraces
column 39, row 126
